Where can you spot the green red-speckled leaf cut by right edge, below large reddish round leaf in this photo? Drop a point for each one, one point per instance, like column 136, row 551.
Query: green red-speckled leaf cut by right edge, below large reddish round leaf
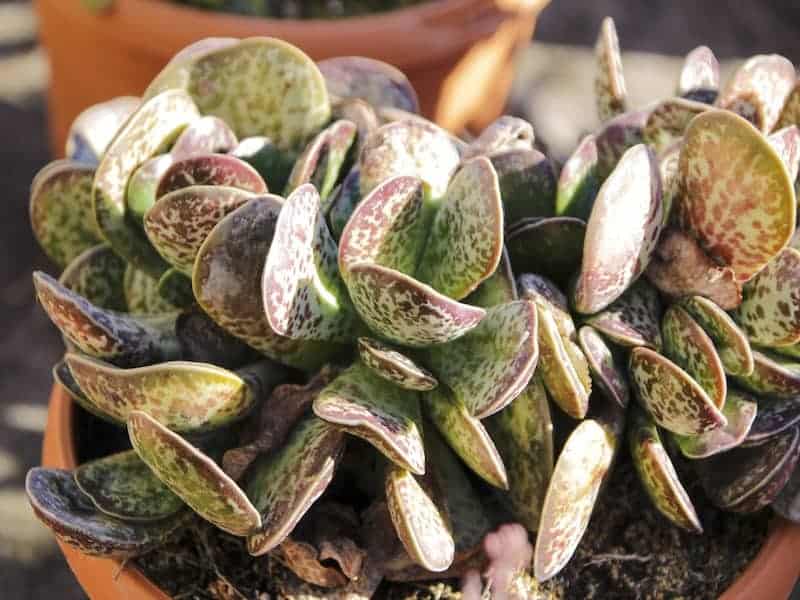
column 770, row 310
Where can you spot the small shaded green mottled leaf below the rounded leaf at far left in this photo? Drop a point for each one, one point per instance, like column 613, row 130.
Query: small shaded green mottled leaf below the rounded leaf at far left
column 98, row 275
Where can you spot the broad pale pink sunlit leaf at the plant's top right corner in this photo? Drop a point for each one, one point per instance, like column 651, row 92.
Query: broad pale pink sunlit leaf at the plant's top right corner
column 758, row 89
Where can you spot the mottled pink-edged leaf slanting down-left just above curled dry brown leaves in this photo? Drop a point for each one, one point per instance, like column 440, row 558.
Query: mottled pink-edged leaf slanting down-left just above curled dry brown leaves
column 284, row 484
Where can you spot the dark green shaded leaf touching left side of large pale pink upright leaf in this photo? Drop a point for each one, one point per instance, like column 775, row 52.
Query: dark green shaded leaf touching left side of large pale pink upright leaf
column 552, row 247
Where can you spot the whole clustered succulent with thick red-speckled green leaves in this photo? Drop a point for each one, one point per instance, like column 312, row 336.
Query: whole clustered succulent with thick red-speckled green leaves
column 357, row 375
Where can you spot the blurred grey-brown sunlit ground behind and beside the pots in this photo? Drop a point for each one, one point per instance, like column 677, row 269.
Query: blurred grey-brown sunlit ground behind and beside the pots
column 553, row 88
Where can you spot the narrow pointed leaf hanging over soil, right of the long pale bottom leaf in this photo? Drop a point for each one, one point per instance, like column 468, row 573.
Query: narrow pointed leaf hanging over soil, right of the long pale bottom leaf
column 658, row 476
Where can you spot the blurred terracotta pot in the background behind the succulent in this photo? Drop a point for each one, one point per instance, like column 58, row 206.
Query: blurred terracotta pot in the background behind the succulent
column 457, row 53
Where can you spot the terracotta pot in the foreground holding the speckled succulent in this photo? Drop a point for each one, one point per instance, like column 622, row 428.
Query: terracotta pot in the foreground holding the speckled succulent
column 771, row 575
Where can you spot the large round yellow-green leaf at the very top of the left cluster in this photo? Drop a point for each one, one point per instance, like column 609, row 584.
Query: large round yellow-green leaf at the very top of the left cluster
column 258, row 86
